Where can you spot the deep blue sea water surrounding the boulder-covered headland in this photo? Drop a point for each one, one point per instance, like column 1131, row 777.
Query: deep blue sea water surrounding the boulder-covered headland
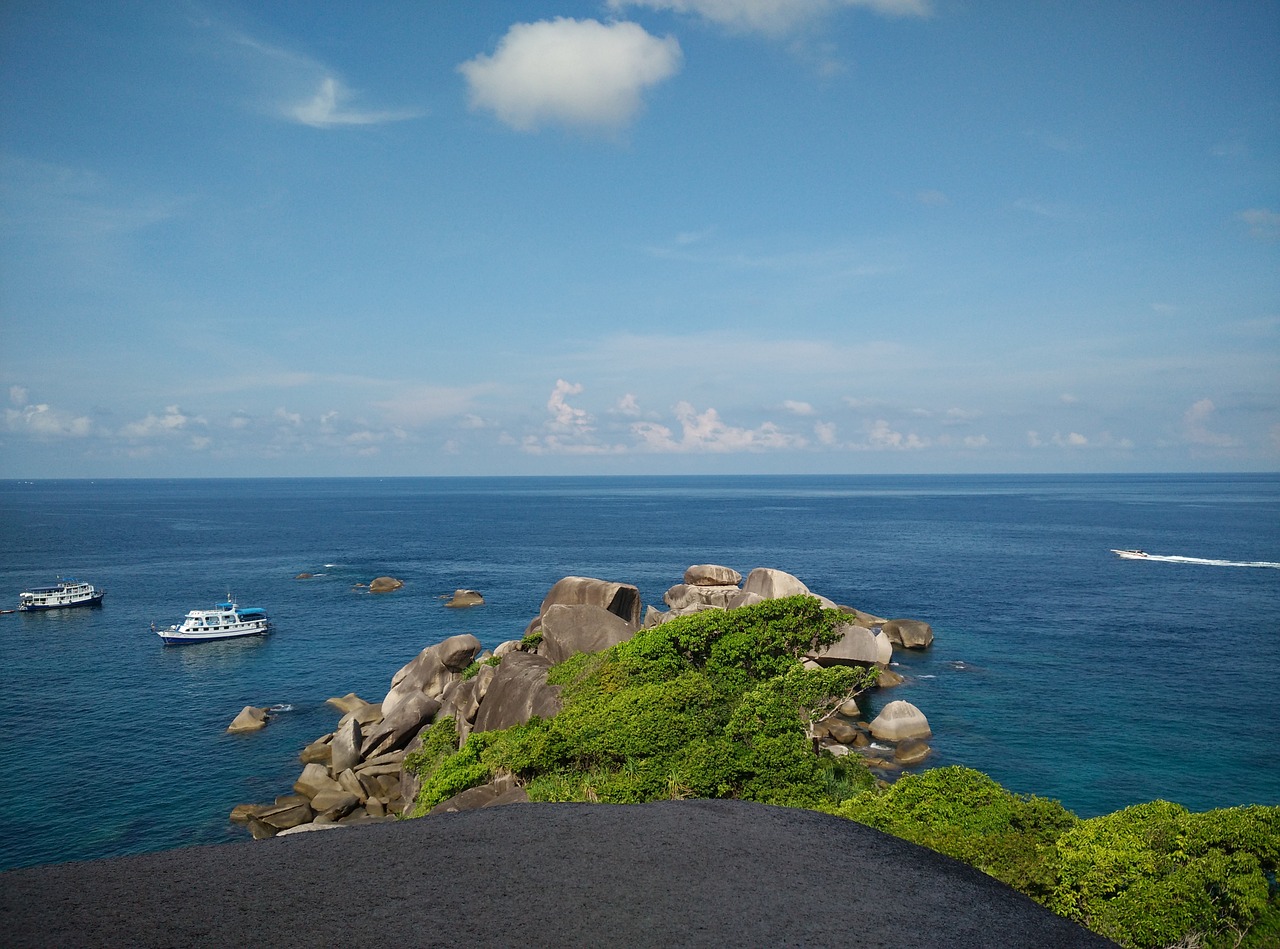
column 1058, row 668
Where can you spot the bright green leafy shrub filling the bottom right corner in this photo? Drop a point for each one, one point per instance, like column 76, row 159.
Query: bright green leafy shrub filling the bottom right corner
column 1153, row 874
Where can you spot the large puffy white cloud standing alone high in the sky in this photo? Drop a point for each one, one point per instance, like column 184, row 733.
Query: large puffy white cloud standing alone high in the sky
column 573, row 72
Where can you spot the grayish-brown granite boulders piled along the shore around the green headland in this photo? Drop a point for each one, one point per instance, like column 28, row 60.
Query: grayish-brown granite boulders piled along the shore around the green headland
column 355, row 774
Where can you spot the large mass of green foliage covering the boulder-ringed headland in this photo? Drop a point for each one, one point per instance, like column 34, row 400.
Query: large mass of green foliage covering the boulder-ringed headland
column 716, row 705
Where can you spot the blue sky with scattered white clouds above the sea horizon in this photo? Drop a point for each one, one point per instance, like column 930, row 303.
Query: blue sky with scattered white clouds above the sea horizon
column 639, row 236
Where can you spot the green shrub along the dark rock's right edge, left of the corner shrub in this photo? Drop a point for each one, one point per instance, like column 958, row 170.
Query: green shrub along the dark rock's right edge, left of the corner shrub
column 966, row 815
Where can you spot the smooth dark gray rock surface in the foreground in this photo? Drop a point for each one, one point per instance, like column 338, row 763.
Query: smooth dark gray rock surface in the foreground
column 673, row 874
